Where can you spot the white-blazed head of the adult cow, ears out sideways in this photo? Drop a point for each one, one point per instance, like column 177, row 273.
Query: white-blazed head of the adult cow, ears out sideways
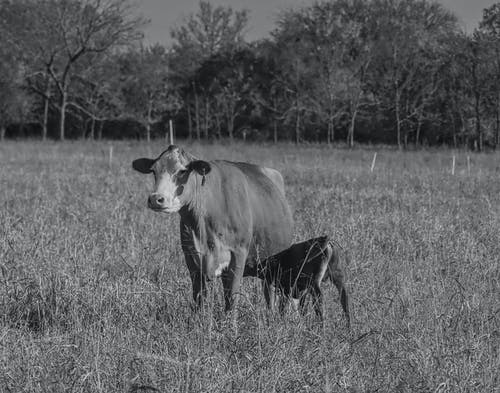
column 176, row 173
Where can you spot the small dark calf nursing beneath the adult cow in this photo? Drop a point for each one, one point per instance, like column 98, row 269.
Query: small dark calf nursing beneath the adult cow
column 299, row 270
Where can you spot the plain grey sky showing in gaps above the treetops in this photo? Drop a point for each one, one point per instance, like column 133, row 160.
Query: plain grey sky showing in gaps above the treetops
column 167, row 13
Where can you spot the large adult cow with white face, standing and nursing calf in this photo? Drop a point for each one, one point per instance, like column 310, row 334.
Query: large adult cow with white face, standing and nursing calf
column 232, row 214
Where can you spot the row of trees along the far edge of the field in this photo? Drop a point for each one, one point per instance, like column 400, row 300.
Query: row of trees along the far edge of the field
column 401, row 72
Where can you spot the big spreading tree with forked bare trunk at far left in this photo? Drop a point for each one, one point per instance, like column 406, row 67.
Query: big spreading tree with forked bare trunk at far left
column 55, row 35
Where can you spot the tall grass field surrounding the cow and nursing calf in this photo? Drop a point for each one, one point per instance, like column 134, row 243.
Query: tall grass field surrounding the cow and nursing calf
column 95, row 296
